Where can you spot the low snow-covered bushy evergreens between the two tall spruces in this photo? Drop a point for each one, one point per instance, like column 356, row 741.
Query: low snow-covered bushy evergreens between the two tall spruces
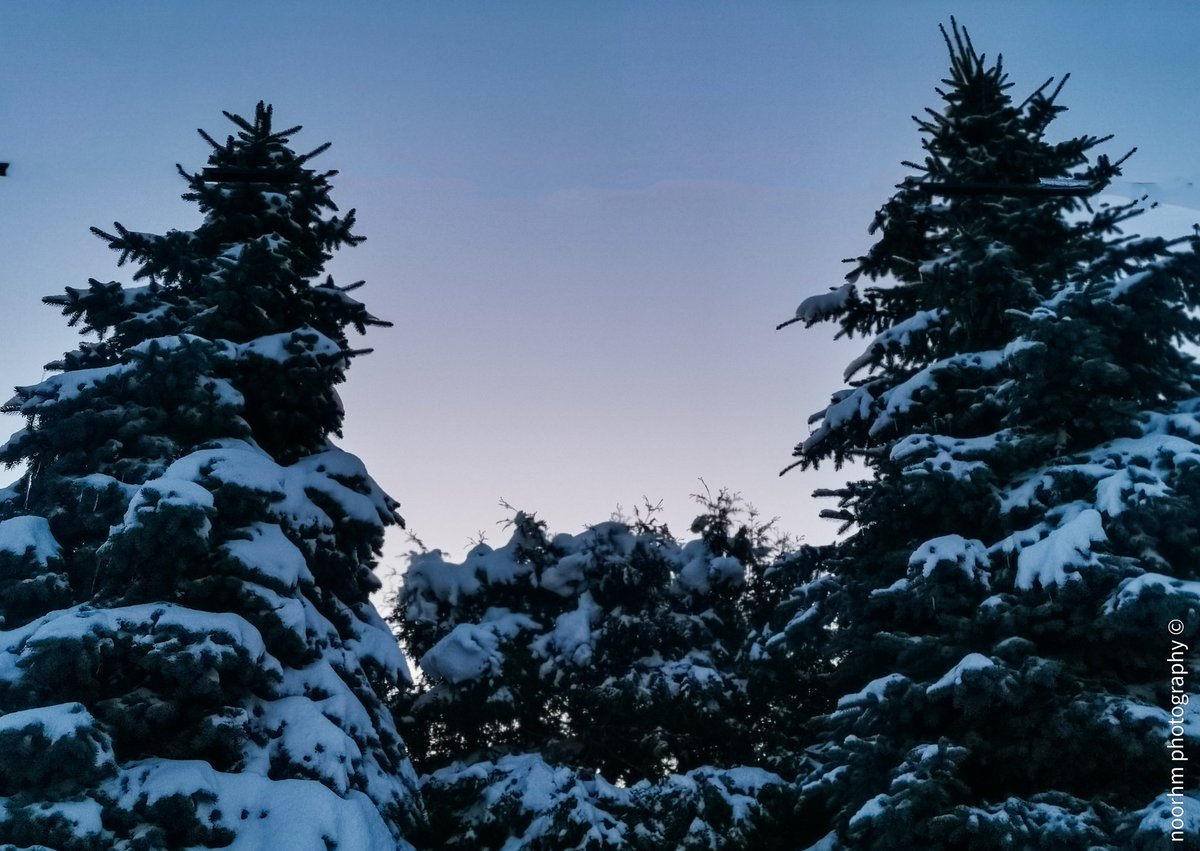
column 598, row 691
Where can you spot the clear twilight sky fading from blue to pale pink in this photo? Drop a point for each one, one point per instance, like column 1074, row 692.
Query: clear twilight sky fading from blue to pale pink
column 585, row 219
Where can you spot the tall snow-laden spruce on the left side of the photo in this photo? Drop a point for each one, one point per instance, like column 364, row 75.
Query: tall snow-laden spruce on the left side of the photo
column 189, row 657
